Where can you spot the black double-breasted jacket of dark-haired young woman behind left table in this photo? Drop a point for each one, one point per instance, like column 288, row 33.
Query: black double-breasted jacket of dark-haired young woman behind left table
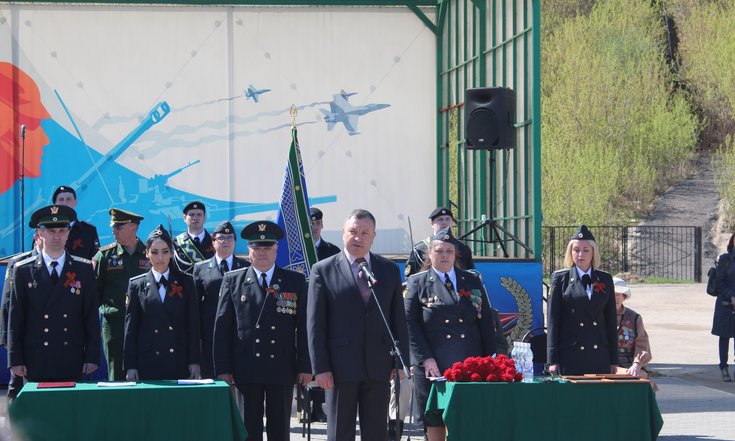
column 161, row 338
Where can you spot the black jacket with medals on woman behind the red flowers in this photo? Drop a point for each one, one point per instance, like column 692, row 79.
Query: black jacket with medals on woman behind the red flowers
column 440, row 327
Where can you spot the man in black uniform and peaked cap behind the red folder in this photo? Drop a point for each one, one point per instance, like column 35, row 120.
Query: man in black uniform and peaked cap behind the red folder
column 53, row 330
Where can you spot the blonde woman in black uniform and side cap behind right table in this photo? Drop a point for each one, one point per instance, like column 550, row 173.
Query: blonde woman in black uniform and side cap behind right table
column 582, row 330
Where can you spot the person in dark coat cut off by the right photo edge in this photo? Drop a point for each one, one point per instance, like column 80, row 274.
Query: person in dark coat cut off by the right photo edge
column 723, row 323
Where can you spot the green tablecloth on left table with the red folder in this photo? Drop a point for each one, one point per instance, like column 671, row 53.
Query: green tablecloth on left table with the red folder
column 156, row 410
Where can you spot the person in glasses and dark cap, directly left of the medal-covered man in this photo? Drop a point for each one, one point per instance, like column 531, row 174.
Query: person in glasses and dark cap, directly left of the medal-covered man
column 208, row 277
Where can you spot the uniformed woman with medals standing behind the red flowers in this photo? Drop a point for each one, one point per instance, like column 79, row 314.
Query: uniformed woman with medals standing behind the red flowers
column 449, row 319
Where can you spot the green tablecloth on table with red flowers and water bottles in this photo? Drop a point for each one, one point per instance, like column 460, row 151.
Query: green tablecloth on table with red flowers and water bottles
column 546, row 411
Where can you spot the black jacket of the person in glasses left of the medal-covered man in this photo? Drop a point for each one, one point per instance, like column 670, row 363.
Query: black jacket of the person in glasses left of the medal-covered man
column 207, row 281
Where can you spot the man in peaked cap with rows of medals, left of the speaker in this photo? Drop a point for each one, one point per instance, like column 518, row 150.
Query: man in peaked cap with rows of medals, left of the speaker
column 260, row 336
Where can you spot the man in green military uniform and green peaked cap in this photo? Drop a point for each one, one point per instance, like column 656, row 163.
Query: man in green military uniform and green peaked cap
column 115, row 264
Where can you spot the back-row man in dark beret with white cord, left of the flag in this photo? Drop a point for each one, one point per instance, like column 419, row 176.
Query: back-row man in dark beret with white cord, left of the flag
column 195, row 244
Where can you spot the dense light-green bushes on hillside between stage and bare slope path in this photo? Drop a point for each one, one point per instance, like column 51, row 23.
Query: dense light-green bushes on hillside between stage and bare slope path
column 614, row 131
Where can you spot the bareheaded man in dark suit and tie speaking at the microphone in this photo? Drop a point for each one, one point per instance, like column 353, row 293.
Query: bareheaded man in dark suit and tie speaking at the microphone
column 348, row 342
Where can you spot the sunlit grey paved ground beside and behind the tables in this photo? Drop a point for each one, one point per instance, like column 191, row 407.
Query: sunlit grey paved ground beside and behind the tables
column 695, row 403
